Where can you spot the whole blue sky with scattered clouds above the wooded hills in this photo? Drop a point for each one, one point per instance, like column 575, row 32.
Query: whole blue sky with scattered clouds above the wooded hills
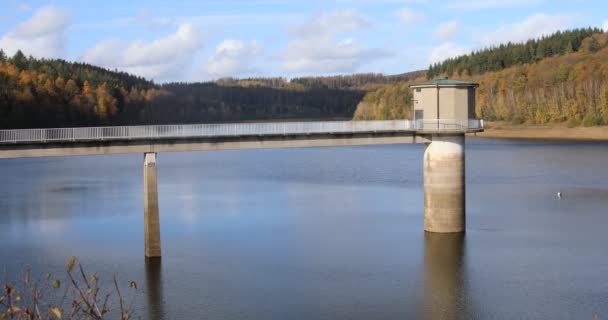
column 202, row 40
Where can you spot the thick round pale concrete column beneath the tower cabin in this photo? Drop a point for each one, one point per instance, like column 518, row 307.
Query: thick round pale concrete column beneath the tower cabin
column 444, row 188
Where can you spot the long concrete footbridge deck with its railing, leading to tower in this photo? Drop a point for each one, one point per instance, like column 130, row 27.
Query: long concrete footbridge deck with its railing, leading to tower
column 167, row 138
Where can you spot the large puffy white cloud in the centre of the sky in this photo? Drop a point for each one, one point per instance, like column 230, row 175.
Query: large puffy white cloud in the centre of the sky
column 318, row 48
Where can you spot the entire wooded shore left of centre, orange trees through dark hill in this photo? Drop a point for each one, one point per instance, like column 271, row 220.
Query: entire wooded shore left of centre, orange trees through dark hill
column 36, row 93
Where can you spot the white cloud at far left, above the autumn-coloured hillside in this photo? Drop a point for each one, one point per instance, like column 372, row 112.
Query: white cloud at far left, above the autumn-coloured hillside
column 43, row 35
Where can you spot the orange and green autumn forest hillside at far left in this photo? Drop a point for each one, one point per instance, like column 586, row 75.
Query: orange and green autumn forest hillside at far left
column 54, row 93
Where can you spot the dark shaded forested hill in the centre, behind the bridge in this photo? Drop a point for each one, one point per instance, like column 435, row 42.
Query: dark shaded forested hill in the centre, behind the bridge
column 210, row 102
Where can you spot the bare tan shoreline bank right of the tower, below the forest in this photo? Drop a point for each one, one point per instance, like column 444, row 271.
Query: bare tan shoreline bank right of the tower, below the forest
column 554, row 132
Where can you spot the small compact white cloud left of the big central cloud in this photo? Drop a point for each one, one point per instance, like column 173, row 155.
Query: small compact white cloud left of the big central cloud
column 233, row 58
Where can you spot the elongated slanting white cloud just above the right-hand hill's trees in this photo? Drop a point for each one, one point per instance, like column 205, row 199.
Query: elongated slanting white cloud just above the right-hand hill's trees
column 533, row 27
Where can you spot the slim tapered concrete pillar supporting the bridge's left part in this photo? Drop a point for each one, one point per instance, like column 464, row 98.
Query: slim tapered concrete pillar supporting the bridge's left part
column 151, row 221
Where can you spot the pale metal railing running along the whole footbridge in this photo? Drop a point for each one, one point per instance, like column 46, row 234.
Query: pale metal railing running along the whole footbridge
column 227, row 129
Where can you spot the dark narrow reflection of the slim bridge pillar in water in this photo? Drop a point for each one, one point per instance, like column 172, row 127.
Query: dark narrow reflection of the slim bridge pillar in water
column 154, row 288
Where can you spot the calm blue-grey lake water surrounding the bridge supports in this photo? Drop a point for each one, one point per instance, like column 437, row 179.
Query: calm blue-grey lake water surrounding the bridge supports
column 324, row 233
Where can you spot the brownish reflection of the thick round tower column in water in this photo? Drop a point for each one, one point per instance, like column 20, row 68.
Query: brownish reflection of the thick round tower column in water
column 444, row 275
